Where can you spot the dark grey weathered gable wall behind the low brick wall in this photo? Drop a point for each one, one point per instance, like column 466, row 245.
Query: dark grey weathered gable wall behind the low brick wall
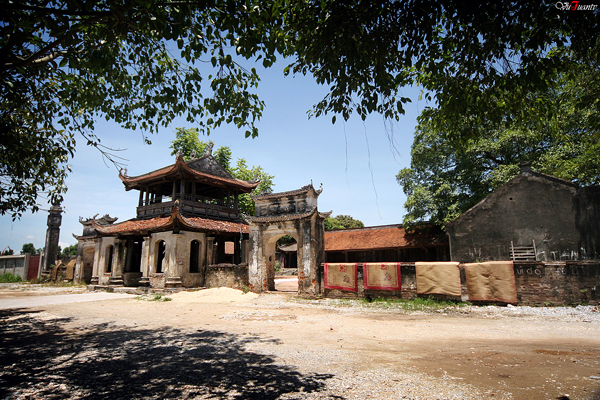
column 561, row 217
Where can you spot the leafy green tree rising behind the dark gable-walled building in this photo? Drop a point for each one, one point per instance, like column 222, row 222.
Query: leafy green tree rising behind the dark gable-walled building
column 445, row 180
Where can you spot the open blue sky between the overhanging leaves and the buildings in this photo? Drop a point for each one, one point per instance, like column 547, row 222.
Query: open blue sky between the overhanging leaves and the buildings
column 358, row 178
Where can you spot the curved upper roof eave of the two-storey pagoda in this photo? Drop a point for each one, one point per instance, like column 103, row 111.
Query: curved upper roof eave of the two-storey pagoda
column 131, row 182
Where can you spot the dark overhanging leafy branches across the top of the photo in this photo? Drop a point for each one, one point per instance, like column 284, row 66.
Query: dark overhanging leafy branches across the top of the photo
column 62, row 65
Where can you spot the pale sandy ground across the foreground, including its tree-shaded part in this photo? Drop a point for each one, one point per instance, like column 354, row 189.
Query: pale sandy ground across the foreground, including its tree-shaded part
column 222, row 343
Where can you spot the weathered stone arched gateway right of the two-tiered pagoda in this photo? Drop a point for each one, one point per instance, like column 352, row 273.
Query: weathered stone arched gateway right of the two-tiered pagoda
column 291, row 213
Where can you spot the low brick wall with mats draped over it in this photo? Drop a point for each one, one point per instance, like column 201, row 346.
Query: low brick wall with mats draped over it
column 538, row 283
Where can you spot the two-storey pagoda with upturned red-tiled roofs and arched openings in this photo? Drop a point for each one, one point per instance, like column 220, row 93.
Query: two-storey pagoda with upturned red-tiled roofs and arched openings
column 187, row 219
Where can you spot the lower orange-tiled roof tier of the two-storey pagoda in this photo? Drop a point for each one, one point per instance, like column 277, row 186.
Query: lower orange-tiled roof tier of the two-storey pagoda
column 158, row 224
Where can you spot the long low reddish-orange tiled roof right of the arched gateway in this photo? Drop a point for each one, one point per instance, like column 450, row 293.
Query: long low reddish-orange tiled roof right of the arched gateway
column 381, row 237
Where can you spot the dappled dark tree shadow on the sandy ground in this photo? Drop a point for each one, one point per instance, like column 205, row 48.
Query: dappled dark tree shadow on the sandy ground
column 39, row 358
